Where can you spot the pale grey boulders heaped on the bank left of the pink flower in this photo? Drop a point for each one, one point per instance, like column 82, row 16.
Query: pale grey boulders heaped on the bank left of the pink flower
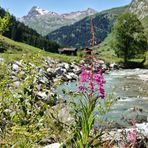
column 50, row 72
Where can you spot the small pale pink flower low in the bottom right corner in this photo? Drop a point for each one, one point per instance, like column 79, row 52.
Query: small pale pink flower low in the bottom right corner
column 132, row 136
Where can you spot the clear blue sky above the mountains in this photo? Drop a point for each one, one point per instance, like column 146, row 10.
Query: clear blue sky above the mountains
column 20, row 8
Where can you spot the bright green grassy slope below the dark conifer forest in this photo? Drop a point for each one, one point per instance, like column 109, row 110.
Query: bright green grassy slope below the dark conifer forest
column 15, row 50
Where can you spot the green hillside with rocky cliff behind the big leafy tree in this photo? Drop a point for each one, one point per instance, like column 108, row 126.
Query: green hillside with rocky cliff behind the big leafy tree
column 106, row 52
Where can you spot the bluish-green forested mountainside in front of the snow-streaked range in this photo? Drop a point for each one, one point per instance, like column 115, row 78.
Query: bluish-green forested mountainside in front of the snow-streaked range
column 79, row 34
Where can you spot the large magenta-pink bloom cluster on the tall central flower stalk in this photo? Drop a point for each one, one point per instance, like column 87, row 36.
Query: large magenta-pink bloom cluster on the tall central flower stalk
column 90, row 80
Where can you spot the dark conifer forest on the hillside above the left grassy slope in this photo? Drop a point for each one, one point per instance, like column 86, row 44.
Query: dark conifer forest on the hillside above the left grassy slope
column 19, row 32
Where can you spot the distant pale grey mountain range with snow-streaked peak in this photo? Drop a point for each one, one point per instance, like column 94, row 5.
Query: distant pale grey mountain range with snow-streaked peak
column 44, row 21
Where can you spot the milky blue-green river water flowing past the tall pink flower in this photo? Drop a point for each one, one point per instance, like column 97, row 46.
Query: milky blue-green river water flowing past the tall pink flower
column 131, row 93
